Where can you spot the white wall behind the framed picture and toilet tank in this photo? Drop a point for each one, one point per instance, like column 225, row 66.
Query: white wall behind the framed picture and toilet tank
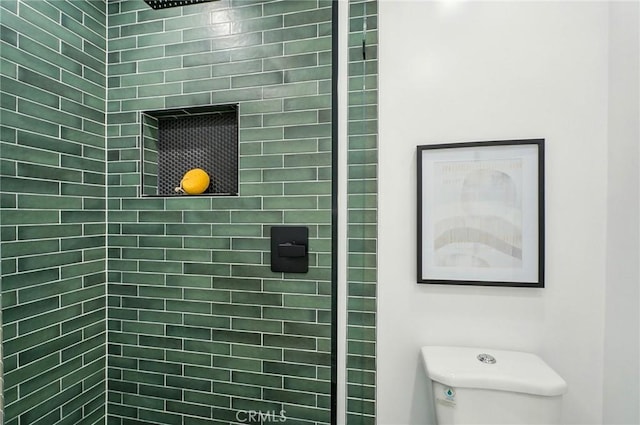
column 467, row 71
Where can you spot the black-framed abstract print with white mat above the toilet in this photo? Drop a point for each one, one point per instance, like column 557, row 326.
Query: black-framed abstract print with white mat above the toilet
column 481, row 213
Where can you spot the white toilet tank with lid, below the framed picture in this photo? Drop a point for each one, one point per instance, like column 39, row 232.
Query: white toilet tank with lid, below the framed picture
column 486, row 386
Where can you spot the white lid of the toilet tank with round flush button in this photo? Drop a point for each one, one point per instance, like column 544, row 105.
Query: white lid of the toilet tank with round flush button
column 512, row 371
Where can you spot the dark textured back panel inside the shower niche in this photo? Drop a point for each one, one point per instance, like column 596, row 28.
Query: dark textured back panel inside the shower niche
column 207, row 141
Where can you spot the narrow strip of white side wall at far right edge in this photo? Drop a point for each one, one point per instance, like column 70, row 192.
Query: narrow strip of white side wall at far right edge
column 622, row 332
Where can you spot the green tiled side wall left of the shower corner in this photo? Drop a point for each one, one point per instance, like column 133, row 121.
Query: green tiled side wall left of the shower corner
column 53, row 87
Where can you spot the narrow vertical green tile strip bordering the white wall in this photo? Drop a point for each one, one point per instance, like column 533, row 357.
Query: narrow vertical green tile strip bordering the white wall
column 362, row 205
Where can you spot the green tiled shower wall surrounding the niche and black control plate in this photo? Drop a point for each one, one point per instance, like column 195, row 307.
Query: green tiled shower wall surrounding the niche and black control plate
column 200, row 330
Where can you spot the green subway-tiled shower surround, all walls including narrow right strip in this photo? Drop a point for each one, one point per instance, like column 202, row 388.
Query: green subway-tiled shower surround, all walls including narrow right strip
column 120, row 308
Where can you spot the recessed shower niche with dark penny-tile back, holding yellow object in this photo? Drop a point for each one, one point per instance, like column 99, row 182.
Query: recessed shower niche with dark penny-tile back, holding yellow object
column 174, row 141
